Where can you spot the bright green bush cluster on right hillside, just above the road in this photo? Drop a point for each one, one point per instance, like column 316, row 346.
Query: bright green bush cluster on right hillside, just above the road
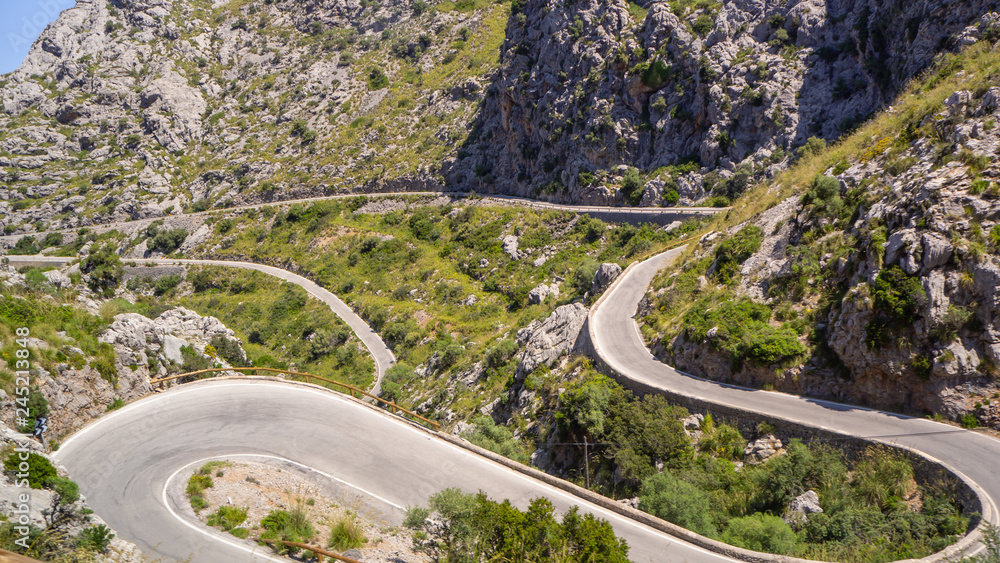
column 742, row 330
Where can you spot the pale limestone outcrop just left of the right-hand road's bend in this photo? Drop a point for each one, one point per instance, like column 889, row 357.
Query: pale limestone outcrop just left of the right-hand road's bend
column 547, row 340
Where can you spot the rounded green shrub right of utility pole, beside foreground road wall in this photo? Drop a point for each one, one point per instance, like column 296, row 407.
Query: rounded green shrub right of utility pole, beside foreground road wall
column 667, row 497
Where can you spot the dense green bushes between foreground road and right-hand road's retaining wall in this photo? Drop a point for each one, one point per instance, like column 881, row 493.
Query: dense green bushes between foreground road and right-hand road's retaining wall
column 868, row 501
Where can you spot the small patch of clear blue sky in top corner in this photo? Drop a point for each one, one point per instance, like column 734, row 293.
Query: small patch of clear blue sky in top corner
column 20, row 24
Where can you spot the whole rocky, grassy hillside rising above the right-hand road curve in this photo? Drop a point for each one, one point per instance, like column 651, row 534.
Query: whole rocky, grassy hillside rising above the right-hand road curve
column 876, row 281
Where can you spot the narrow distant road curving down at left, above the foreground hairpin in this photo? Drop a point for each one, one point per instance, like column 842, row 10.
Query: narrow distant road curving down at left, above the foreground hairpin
column 381, row 353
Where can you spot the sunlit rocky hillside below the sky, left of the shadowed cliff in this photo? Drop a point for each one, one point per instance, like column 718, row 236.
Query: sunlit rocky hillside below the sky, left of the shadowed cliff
column 138, row 109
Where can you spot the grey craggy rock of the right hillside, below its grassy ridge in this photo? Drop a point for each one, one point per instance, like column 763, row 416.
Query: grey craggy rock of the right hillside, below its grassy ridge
column 912, row 279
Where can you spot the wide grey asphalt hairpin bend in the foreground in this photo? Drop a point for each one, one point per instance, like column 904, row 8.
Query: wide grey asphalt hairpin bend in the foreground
column 124, row 461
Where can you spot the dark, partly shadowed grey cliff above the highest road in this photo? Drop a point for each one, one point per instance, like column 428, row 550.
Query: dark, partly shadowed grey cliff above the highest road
column 725, row 96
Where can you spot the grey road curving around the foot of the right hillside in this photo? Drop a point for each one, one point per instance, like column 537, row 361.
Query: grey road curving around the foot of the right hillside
column 618, row 342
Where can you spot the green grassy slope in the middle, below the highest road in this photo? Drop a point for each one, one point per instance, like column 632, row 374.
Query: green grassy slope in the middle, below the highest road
column 410, row 274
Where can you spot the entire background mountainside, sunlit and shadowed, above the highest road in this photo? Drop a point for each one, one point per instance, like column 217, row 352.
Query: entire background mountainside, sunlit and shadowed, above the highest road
column 130, row 109
